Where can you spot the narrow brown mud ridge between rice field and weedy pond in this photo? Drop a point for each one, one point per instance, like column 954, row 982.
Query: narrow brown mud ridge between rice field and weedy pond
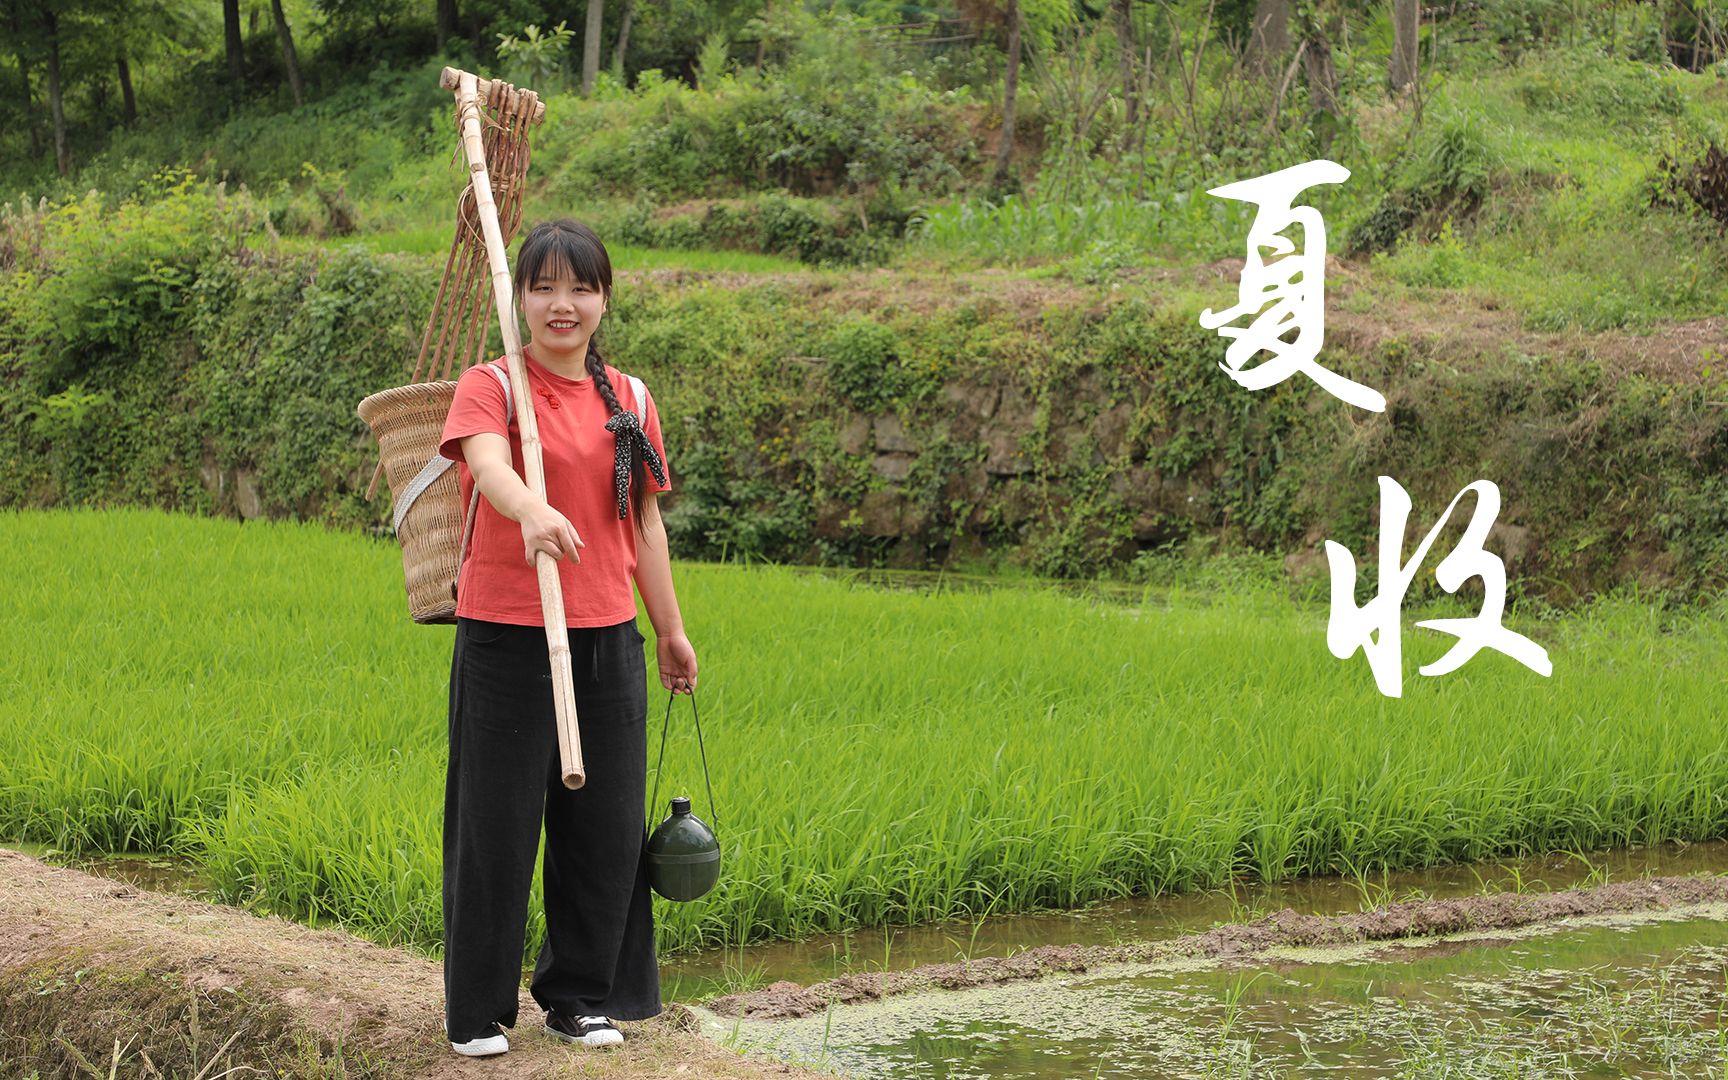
column 1247, row 941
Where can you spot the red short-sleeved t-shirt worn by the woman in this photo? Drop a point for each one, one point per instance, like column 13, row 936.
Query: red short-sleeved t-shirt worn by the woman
column 497, row 581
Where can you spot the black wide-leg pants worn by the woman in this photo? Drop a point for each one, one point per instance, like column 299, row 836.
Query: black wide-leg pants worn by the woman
column 502, row 784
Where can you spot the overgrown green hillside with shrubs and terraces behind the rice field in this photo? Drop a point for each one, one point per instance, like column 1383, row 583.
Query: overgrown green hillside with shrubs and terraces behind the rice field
column 879, row 350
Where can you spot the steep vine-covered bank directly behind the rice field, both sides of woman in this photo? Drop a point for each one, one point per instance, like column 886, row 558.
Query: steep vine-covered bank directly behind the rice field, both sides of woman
column 874, row 419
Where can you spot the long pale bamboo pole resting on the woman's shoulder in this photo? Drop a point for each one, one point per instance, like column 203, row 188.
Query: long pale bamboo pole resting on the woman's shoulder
column 545, row 566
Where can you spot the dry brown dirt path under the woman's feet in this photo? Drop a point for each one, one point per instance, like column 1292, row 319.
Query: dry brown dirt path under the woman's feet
column 89, row 965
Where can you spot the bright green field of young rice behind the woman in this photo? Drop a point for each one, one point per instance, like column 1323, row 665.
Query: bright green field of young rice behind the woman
column 255, row 696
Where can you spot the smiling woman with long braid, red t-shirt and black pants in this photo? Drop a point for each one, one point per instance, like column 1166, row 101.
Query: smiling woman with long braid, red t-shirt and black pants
column 606, row 467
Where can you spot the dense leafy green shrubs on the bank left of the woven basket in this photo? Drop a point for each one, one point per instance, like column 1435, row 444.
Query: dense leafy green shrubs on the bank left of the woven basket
column 141, row 340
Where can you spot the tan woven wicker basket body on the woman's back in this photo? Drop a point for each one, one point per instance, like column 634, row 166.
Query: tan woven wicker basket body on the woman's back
column 429, row 516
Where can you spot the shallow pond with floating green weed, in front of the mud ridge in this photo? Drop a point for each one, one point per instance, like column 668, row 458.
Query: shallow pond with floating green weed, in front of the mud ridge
column 1610, row 996
